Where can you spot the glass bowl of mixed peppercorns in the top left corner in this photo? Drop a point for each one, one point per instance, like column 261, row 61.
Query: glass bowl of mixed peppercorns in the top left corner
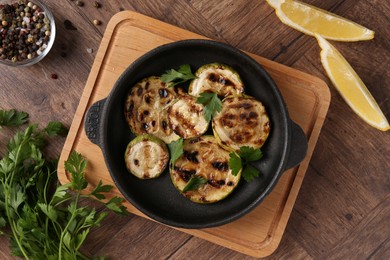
column 27, row 32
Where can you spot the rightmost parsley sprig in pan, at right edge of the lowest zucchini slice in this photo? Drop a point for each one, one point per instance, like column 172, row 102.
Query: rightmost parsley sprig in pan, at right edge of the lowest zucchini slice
column 241, row 161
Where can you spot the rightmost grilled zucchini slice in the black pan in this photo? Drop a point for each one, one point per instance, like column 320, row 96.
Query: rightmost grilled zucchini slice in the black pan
column 243, row 121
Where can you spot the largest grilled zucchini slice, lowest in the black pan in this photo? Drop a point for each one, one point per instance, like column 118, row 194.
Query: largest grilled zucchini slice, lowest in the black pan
column 204, row 158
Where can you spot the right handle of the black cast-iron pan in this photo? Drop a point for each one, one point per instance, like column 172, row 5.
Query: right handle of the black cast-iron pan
column 298, row 148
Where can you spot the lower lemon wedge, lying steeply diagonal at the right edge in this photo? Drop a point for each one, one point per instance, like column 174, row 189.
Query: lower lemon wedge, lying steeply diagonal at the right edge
column 350, row 86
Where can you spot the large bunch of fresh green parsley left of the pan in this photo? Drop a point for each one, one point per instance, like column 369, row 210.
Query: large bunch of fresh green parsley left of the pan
column 42, row 218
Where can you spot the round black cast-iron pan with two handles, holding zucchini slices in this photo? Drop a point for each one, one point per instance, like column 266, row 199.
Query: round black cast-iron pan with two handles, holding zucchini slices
column 106, row 126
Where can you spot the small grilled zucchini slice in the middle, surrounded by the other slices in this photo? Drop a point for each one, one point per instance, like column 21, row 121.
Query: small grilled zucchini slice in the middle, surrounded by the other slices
column 186, row 117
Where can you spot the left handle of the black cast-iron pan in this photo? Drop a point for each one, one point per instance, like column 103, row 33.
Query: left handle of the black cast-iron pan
column 92, row 121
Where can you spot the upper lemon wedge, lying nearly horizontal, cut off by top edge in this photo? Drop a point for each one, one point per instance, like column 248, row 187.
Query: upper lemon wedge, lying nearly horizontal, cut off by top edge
column 312, row 20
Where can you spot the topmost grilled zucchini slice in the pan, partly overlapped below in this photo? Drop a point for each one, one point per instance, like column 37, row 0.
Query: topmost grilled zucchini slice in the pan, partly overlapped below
column 218, row 78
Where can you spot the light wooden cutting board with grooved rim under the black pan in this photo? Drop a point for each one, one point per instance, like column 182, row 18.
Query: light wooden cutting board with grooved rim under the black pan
column 127, row 37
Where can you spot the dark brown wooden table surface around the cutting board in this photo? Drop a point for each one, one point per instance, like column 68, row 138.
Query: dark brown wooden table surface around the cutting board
column 343, row 207
